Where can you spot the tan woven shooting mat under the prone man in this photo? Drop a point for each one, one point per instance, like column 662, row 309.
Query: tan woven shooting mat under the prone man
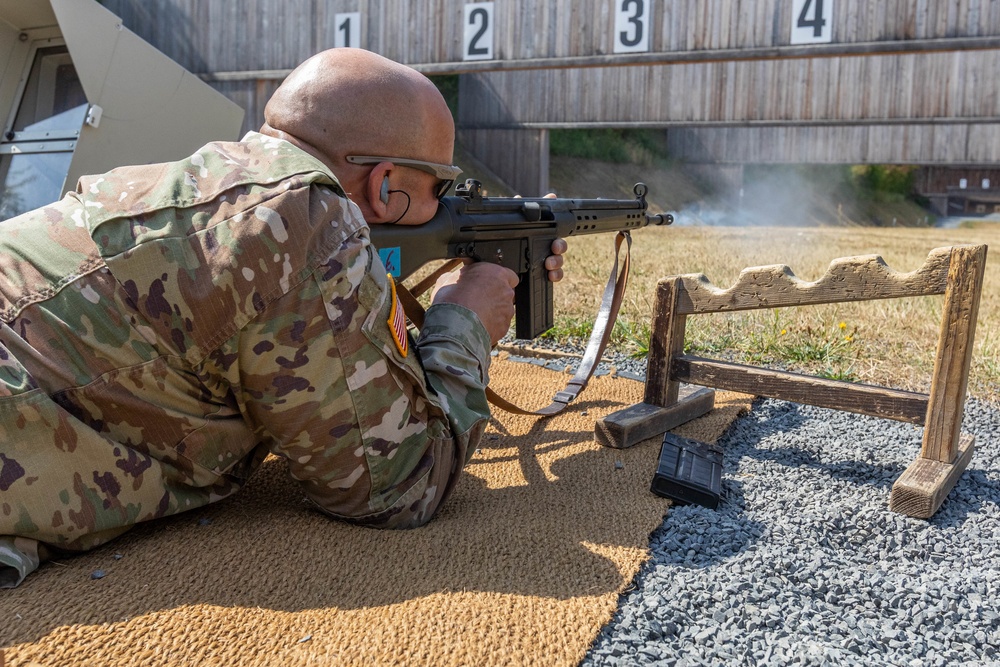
column 523, row 565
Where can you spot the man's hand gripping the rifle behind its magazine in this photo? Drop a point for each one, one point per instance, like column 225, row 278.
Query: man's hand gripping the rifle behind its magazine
column 484, row 288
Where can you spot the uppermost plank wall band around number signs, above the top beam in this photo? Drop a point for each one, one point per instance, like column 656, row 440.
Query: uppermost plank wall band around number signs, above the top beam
column 211, row 36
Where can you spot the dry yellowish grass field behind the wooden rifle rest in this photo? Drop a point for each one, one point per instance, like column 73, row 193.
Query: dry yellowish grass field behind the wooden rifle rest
column 888, row 342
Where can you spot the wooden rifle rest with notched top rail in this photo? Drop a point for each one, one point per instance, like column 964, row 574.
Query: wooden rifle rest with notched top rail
column 956, row 272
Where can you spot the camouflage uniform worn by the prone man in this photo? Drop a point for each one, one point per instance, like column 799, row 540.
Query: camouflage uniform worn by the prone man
column 165, row 327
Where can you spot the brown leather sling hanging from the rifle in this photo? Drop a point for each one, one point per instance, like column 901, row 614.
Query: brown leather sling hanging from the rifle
column 611, row 302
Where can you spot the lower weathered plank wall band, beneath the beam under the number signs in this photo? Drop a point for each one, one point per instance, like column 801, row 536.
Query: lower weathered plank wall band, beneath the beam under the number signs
column 919, row 108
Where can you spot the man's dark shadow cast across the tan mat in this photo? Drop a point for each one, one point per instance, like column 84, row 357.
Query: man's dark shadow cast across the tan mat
column 546, row 534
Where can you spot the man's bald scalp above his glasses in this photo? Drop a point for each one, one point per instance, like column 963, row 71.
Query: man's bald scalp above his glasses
column 354, row 102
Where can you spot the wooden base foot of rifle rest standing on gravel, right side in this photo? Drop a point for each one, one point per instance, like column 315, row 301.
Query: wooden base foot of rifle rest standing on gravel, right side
column 925, row 484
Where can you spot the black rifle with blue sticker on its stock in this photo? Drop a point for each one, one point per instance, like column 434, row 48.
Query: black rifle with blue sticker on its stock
column 516, row 233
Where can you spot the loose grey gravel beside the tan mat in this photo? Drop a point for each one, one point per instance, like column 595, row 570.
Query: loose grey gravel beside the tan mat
column 803, row 563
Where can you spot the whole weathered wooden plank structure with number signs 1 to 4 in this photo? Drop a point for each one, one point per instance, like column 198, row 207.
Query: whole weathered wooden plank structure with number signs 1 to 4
column 733, row 81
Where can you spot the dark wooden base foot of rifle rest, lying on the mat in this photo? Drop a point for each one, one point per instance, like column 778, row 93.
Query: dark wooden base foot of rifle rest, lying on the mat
column 626, row 427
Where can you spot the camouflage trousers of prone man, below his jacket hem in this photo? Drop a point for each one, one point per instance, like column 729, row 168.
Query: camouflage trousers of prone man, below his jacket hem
column 47, row 448
